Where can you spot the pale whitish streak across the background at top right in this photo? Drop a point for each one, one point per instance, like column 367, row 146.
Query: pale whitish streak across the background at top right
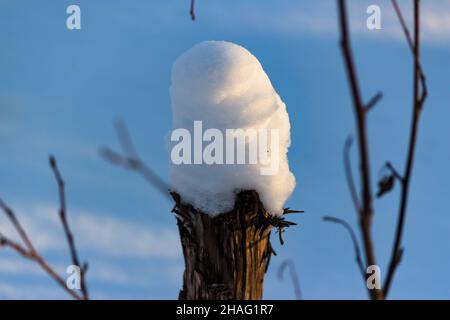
column 320, row 18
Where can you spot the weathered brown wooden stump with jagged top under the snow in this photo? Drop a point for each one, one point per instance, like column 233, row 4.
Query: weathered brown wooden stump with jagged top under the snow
column 227, row 255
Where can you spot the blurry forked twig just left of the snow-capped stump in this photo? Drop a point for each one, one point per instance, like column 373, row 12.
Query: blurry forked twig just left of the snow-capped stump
column 131, row 160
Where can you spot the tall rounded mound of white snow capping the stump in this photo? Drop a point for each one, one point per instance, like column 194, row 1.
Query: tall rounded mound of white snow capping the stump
column 225, row 87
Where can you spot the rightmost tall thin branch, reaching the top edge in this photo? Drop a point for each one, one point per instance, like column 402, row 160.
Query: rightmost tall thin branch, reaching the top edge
column 418, row 101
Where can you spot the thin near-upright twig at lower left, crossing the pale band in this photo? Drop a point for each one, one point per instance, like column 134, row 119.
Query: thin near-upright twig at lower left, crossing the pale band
column 67, row 231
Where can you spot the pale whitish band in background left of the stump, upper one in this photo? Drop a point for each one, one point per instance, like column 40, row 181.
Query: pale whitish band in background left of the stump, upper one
column 94, row 233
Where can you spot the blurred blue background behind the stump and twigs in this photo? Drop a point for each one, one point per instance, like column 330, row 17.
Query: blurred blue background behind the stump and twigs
column 60, row 91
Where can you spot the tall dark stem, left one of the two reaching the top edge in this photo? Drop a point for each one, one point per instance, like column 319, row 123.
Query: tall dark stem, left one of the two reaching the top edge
column 365, row 214
